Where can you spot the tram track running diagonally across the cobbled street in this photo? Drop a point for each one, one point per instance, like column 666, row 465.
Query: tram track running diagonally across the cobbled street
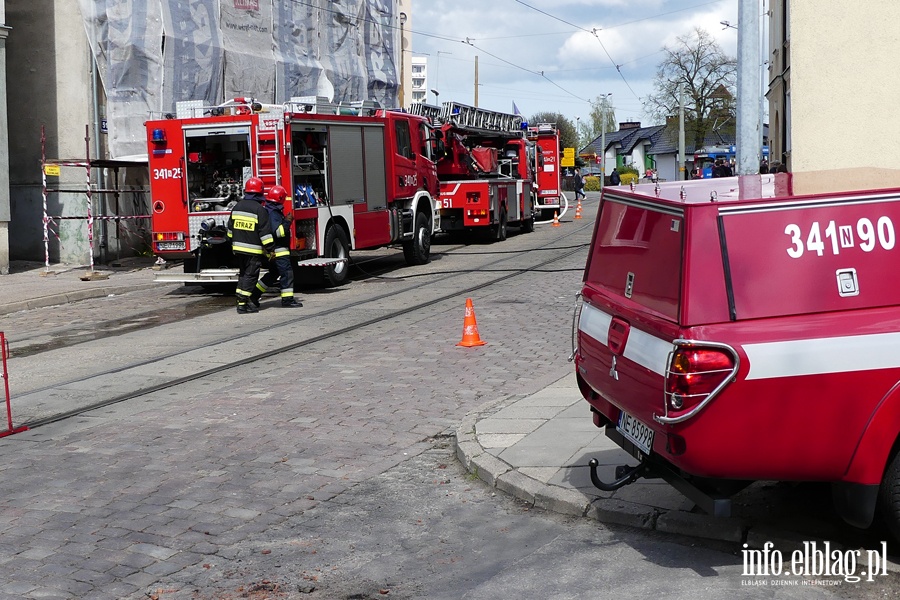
column 68, row 394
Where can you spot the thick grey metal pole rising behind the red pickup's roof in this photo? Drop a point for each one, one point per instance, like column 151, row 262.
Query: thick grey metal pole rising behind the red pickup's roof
column 748, row 88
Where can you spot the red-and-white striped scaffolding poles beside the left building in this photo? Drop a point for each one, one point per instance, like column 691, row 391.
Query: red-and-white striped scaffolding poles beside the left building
column 53, row 167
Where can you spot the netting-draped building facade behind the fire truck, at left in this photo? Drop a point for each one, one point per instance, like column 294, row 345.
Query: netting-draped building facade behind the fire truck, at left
column 88, row 74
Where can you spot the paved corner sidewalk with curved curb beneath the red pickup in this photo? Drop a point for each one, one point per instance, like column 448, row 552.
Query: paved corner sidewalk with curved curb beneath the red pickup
column 537, row 449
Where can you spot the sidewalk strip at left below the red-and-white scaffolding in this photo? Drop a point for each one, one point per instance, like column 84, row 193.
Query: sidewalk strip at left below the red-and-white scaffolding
column 31, row 285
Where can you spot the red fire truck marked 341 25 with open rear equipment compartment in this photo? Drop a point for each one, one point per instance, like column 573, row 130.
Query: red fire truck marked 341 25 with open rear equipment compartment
column 360, row 177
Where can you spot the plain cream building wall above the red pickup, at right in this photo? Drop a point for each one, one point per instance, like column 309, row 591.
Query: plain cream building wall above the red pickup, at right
column 830, row 92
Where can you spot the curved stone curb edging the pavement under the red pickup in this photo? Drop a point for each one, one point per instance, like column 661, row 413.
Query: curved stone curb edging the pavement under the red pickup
column 504, row 477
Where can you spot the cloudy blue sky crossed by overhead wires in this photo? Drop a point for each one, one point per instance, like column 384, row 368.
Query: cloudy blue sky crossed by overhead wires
column 558, row 55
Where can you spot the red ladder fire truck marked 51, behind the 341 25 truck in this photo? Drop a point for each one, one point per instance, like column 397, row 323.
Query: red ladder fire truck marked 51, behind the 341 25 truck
column 486, row 171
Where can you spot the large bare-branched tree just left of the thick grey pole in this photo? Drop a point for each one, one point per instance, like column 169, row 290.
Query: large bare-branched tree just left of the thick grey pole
column 707, row 76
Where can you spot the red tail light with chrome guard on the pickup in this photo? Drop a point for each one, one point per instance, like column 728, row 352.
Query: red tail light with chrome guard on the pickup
column 697, row 372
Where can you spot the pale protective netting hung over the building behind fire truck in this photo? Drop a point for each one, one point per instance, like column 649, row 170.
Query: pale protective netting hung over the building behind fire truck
column 154, row 53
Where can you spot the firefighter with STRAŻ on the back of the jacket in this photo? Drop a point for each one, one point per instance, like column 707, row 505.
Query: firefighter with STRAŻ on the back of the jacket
column 251, row 238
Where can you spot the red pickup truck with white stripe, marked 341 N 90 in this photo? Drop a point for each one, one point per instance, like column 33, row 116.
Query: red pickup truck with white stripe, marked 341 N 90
column 731, row 331
